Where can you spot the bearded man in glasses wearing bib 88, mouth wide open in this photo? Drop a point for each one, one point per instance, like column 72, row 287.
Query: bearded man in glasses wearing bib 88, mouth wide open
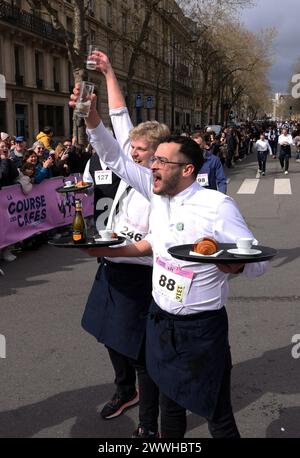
column 187, row 348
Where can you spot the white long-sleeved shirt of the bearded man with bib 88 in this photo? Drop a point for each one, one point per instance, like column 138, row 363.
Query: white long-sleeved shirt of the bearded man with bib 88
column 194, row 213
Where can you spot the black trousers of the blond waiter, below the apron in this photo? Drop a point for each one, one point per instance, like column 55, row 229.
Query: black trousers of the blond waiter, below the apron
column 148, row 392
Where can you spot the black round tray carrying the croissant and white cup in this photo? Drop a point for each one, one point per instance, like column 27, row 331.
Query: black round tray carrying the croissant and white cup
column 182, row 252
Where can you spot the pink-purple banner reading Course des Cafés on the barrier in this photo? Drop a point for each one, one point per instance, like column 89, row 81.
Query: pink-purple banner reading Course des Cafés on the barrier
column 22, row 216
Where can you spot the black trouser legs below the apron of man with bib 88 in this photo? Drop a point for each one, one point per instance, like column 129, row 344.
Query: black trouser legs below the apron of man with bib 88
column 221, row 425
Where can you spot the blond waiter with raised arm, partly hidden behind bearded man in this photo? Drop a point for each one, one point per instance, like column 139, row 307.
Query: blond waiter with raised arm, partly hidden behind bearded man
column 121, row 295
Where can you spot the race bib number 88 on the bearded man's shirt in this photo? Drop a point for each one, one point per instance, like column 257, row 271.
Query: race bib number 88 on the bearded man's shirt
column 171, row 281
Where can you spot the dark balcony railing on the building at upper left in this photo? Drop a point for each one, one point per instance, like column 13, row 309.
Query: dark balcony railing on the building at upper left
column 24, row 20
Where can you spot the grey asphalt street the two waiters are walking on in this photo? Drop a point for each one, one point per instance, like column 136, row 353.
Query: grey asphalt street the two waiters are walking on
column 55, row 376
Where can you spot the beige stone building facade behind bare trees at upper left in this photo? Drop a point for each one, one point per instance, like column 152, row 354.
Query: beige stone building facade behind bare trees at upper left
column 34, row 62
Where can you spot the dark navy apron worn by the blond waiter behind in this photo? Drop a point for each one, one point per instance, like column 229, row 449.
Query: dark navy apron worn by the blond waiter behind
column 117, row 307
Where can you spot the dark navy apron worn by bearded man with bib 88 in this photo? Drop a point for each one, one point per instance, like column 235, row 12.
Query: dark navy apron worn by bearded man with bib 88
column 186, row 356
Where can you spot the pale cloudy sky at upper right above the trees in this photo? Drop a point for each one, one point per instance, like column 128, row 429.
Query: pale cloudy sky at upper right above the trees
column 285, row 17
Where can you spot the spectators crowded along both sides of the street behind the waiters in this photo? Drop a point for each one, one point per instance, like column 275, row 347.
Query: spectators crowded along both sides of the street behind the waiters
column 47, row 158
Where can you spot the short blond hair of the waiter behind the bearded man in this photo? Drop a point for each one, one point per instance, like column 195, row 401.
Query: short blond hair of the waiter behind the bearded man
column 153, row 131
